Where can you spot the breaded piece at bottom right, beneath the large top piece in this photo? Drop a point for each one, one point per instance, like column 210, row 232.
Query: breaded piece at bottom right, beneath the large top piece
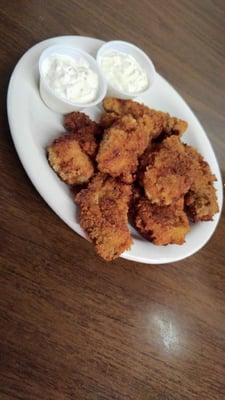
column 161, row 225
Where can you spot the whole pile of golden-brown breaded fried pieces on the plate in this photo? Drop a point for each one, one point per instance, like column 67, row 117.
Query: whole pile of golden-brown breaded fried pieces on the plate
column 133, row 164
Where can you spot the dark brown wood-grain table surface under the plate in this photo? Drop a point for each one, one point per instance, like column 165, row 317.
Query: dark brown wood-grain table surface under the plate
column 71, row 325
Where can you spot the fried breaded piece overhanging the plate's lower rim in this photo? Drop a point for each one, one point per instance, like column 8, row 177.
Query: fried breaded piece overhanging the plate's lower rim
column 103, row 215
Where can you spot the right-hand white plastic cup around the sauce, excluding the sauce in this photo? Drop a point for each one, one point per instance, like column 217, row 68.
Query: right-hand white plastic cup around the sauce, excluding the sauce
column 143, row 60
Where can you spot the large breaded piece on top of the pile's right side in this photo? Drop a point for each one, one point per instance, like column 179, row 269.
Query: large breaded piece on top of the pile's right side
column 169, row 172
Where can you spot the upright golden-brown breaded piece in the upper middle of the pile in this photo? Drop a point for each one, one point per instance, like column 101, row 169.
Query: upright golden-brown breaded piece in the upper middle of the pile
column 121, row 146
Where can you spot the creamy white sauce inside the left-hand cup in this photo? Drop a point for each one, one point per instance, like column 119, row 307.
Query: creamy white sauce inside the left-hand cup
column 71, row 80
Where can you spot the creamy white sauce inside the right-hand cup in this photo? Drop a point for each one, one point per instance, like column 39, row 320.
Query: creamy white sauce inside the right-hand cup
column 123, row 72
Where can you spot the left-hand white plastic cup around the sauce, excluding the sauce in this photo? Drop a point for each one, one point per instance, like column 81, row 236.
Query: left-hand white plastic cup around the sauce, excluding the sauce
column 51, row 99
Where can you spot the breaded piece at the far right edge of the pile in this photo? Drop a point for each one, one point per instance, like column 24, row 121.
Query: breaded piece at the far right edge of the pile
column 201, row 202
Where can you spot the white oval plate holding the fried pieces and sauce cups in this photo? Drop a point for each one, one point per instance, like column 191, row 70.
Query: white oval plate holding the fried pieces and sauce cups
column 33, row 126
